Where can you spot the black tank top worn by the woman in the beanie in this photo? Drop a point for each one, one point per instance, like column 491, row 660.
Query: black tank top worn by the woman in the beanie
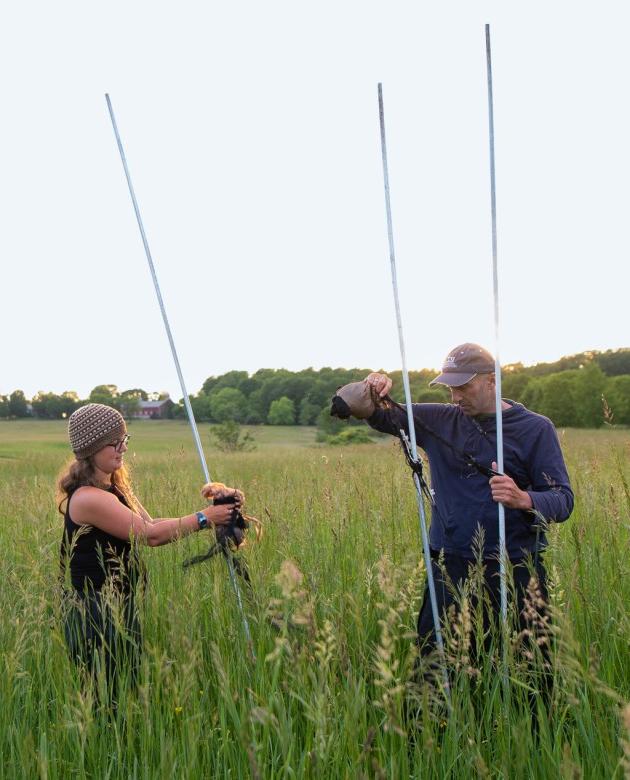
column 97, row 557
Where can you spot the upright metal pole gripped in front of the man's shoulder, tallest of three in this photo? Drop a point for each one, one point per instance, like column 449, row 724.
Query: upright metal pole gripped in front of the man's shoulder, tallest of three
column 497, row 362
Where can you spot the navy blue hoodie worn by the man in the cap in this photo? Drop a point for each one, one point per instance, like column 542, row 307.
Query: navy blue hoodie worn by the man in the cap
column 463, row 501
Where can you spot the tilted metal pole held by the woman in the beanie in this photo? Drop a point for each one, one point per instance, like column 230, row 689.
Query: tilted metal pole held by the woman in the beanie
column 189, row 411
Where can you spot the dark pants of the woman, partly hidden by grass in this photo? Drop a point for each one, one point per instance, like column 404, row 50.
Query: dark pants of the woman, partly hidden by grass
column 103, row 632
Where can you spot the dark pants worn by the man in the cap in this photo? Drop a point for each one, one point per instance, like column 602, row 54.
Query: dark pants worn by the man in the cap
column 526, row 611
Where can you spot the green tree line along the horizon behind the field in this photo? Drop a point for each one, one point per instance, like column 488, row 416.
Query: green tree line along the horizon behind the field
column 584, row 391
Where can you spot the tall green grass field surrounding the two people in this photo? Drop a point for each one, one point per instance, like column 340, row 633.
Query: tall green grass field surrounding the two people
column 337, row 581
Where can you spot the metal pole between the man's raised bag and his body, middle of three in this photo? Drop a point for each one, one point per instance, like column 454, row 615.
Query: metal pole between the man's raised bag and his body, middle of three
column 412, row 430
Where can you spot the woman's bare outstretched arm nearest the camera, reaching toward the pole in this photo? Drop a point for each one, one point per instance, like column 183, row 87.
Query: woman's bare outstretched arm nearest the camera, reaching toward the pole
column 92, row 506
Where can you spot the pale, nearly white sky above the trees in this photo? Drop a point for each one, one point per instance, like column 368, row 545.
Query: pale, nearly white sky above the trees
column 251, row 131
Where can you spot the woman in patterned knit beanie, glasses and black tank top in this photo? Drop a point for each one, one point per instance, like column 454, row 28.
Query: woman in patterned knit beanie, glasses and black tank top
column 103, row 524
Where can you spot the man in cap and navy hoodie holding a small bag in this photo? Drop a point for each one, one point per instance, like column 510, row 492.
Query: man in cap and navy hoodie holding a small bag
column 460, row 441
